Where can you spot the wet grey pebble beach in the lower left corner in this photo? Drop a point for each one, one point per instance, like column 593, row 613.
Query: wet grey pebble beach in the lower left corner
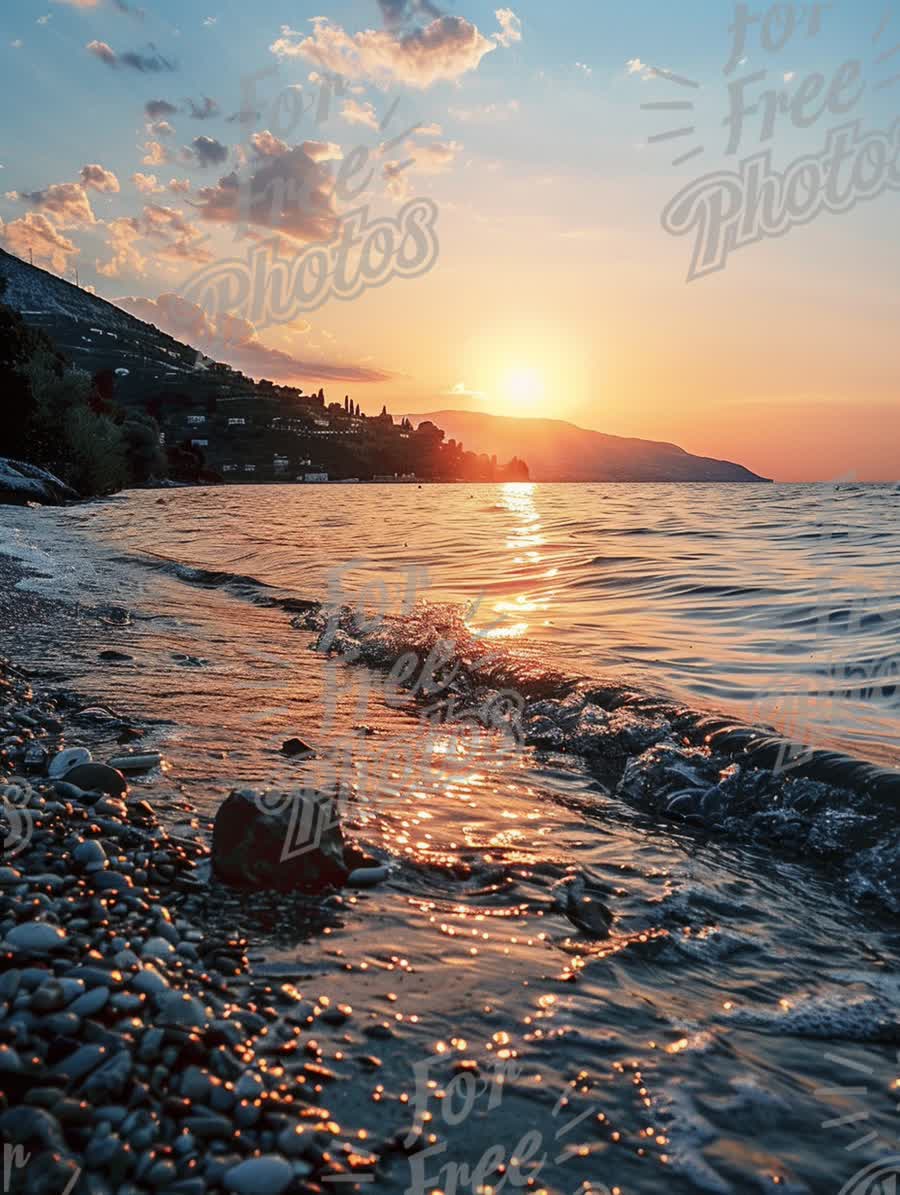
column 115, row 995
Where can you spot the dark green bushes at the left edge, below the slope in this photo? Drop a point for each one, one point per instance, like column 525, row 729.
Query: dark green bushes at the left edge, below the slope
column 64, row 420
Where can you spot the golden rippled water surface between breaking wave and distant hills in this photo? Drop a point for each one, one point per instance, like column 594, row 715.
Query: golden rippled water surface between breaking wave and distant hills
column 781, row 604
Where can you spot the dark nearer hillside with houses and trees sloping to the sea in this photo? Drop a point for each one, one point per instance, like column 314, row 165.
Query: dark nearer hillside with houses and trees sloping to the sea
column 212, row 421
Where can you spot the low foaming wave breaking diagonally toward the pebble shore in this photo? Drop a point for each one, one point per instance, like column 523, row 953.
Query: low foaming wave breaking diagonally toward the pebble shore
column 672, row 763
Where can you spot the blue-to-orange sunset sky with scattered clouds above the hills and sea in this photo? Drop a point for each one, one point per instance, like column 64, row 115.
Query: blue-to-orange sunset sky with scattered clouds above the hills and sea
column 635, row 218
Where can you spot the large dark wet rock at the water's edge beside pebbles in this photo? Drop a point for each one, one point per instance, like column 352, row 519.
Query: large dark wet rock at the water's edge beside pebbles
column 283, row 842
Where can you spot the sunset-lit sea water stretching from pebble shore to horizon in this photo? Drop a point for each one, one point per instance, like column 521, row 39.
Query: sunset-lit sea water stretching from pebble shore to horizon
column 738, row 1026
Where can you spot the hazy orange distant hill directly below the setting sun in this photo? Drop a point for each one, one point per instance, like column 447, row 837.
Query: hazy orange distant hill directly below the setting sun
column 562, row 452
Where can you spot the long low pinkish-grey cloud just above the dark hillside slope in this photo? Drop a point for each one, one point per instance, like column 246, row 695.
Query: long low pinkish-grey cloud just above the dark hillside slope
column 236, row 341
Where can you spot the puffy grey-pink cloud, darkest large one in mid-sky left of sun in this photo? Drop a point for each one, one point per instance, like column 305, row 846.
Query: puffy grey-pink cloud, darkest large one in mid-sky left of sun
column 286, row 191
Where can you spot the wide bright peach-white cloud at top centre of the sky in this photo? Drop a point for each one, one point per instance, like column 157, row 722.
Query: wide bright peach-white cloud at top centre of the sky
column 443, row 51
